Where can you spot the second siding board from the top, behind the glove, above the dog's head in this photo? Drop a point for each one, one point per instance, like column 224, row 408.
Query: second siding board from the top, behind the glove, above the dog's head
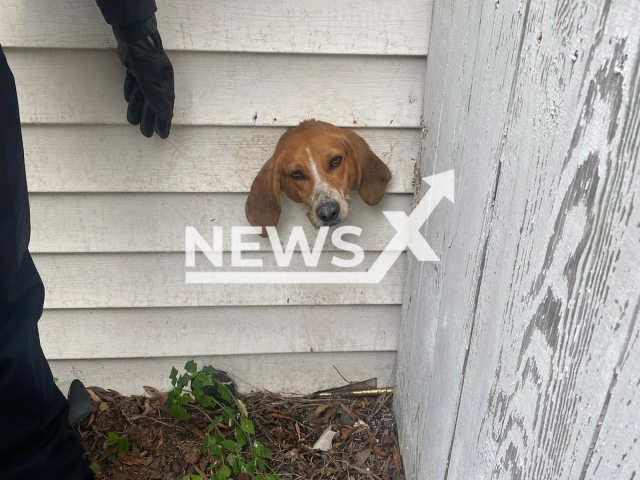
column 67, row 86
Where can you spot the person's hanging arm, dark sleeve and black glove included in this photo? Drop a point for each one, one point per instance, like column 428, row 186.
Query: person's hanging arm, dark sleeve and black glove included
column 148, row 85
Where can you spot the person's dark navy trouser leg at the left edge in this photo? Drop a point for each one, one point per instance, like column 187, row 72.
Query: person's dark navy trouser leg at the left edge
column 36, row 440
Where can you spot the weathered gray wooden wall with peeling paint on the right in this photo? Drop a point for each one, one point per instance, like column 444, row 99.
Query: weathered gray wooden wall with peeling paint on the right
column 520, row 352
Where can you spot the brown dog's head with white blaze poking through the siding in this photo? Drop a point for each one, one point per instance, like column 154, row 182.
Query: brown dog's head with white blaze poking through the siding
column 316, row 163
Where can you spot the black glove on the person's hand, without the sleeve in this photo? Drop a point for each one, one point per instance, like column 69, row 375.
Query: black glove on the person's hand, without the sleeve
column 148, row 86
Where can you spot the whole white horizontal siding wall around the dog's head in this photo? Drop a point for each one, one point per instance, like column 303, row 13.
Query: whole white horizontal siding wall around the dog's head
column 109, row 207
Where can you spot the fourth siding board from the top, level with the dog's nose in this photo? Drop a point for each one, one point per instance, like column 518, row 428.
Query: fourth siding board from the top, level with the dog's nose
column 156, row 222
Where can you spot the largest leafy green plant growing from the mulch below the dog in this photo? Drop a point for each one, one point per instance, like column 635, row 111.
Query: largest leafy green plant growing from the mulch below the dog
column 237, row 452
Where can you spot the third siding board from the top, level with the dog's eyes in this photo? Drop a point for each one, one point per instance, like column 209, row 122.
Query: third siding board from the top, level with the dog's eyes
column 99, row 158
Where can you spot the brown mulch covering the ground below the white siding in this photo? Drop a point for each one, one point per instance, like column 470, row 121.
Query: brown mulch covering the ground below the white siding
column 161, row 447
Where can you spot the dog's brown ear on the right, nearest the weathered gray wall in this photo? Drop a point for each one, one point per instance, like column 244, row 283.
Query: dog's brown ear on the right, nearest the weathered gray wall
column 372, row 174
